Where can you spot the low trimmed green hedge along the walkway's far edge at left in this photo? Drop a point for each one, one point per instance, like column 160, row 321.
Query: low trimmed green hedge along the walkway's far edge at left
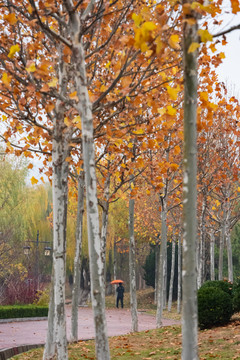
column 22, row 311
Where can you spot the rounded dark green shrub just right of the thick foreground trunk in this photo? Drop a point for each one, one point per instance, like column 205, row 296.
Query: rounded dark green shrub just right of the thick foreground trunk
column 214, row 307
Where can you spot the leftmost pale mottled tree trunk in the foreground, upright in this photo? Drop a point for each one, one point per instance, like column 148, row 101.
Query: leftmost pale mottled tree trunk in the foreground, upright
column 60, row 151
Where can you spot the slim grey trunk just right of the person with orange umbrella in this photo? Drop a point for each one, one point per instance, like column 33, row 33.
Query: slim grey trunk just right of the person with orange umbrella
column 132, row 266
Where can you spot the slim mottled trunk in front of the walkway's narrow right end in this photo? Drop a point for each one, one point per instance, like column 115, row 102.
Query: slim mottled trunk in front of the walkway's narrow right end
column 162, row 257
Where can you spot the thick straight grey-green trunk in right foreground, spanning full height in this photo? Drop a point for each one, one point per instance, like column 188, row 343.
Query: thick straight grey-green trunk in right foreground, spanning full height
column 189, row 272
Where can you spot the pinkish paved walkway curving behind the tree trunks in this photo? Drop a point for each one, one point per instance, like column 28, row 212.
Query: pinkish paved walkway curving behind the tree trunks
column 20, row 333
